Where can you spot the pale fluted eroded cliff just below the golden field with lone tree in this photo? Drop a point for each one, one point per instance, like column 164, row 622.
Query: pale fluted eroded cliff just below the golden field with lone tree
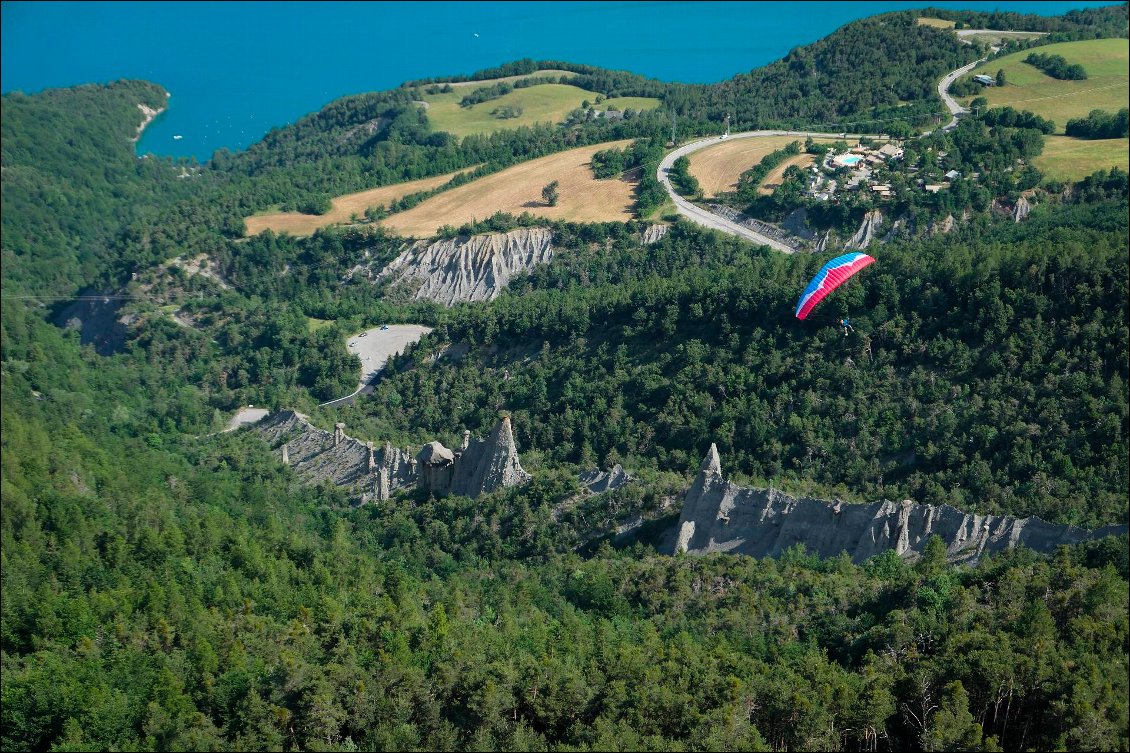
column 474, row 269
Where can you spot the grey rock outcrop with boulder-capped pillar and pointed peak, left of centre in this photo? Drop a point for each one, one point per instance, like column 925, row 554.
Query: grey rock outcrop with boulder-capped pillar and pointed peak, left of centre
column 370, row 474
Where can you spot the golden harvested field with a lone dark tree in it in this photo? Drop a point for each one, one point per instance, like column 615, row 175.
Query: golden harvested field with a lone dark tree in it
column 518, row 189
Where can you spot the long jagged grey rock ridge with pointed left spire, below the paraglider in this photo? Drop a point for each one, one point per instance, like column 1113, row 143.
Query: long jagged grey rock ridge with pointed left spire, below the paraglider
column 719, row 516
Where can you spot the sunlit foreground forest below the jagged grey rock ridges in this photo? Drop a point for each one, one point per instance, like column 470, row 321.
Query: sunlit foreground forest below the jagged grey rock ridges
column 162, row 593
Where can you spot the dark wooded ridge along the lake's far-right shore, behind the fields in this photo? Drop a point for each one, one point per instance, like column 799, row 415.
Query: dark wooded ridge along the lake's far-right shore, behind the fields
column 865, row 77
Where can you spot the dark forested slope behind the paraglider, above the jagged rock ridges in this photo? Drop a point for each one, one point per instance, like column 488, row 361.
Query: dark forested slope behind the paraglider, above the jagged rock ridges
column 646, row 357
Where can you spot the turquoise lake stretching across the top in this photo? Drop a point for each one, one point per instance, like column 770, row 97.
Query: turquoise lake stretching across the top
column 238, row 70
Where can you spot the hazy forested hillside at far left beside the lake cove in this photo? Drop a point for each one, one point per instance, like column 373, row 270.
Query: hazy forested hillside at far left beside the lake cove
column 72, row 183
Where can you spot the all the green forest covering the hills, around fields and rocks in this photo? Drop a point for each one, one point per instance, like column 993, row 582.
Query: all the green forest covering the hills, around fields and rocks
column 166, row 587
